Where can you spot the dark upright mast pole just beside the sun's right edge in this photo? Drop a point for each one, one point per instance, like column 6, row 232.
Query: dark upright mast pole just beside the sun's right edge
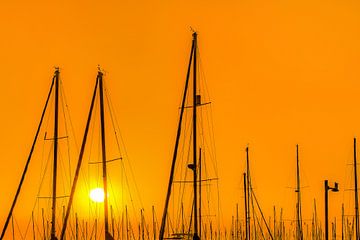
column 103, row 149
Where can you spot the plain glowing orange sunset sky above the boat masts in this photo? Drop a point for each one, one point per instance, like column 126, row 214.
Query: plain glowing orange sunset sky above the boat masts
column 280, row 73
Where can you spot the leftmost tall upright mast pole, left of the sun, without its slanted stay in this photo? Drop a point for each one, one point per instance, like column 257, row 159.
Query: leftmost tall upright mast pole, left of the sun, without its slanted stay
column 56, row 129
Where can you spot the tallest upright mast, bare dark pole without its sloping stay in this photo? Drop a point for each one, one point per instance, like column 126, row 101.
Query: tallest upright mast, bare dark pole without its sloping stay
column 196, row 236
